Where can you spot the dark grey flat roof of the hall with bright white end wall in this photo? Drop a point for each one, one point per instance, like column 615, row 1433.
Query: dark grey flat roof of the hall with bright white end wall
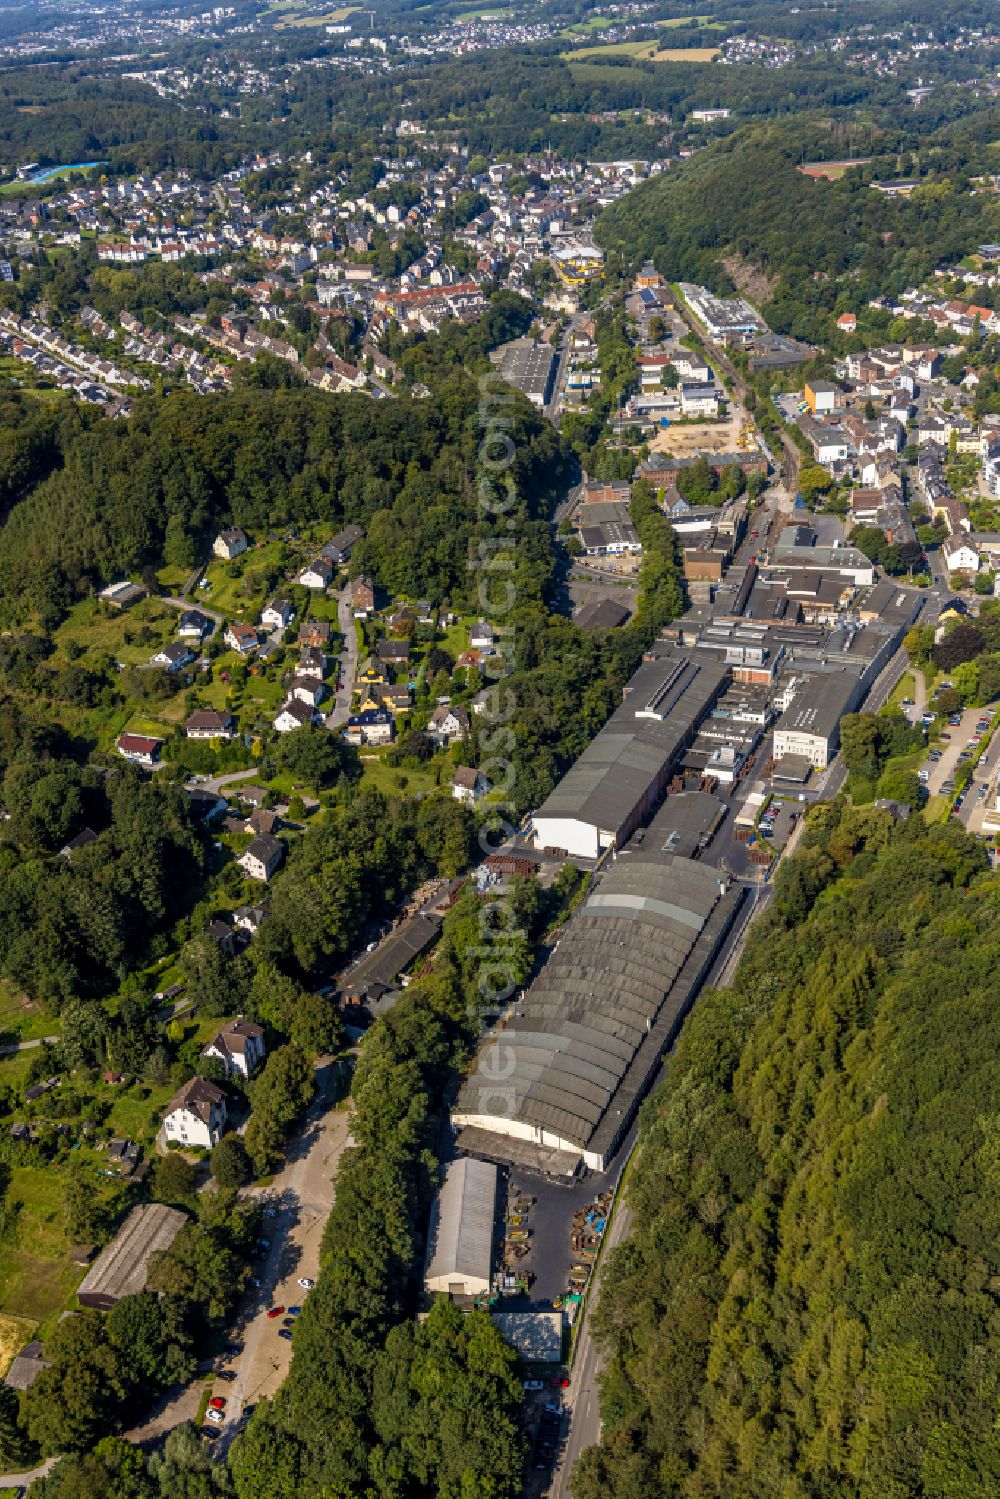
column 665, row 701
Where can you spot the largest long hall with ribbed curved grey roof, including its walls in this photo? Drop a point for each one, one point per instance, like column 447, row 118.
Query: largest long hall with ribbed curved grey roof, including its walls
column 558, row 1083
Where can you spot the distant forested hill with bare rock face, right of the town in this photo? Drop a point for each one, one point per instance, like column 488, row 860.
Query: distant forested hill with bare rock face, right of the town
column 825, row 247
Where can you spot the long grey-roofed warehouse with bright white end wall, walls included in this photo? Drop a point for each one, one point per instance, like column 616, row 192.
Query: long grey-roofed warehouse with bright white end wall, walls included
column 626, row 768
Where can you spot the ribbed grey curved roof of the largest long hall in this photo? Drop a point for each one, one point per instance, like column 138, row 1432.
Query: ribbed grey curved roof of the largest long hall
column 570, row 1040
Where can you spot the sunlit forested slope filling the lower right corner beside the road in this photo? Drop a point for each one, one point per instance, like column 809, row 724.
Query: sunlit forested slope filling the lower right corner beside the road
column 809, row 1300
